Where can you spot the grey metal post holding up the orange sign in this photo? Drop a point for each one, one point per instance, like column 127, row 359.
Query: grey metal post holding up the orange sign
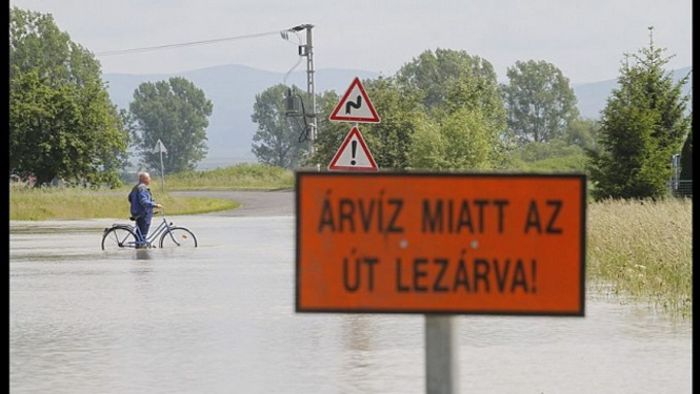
column 441, row 356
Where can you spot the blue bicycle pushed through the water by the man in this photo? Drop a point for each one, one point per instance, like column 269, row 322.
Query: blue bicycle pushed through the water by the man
column 121, row 236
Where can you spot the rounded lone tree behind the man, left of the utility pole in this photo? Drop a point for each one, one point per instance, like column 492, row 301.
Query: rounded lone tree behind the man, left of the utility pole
column 176, row 112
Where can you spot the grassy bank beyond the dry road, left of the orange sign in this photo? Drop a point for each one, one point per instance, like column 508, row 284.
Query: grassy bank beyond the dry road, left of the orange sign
column 241, row 176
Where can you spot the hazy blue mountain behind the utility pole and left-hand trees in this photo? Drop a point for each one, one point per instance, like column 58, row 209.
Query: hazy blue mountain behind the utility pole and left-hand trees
column 232, row 90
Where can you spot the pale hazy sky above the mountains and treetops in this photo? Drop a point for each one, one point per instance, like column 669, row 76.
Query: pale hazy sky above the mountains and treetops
column 584, row 38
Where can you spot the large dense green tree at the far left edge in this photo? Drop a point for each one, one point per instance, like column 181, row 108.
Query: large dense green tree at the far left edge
column 62, row 122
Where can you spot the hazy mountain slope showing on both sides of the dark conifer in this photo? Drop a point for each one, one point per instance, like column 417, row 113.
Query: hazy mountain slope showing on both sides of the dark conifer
column 592, row 97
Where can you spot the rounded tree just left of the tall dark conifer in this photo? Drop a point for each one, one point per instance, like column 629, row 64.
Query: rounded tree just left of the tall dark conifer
column 540, row 103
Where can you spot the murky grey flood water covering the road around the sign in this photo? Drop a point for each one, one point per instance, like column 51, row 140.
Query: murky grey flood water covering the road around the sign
column 220, row 319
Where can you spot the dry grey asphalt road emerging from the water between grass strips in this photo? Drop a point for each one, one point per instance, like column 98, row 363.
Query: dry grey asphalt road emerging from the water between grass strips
column 253, row 203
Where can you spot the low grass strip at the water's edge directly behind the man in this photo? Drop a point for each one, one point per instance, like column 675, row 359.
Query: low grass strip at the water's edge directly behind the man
column 73, row 203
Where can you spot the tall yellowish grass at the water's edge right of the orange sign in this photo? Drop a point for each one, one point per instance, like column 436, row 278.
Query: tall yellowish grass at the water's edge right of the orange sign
column 644, row 249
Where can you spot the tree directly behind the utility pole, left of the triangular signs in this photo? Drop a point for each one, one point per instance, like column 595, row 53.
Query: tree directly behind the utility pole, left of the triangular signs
column 279, row 140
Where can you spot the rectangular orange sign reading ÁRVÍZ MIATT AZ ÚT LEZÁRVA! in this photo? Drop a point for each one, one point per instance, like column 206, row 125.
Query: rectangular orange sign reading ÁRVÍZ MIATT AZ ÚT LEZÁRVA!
column 511, row 244
